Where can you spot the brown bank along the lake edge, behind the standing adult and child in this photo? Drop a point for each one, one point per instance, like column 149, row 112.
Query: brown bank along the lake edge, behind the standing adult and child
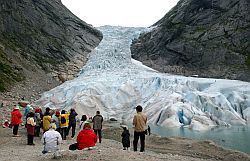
column 203, row 149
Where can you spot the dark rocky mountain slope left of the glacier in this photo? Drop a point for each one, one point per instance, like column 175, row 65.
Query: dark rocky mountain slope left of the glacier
column 41, row 44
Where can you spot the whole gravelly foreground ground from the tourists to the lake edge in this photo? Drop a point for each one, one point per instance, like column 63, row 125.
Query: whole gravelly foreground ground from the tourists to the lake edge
column 157, row 148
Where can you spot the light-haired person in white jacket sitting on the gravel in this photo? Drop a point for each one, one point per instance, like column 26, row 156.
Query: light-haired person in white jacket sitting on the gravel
column 51, row 140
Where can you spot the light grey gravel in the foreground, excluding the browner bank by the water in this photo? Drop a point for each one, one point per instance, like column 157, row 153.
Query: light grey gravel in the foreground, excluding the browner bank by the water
column 15, row 148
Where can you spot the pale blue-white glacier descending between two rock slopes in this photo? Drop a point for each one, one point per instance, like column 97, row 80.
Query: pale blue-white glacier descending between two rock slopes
column 114, row 83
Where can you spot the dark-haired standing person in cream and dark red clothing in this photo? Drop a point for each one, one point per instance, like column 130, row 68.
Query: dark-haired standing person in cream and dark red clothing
column 31, row 128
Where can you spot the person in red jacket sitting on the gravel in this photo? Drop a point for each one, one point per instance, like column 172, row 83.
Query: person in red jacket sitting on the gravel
column 85, row 139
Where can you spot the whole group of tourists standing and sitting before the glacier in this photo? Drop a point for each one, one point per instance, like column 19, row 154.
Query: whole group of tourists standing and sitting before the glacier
column 57, row 125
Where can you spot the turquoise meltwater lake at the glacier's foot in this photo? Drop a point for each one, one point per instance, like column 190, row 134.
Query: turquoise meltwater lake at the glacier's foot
column 235, row 137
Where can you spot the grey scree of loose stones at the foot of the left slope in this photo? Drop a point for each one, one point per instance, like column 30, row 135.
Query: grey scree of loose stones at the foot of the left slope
column 36, row 83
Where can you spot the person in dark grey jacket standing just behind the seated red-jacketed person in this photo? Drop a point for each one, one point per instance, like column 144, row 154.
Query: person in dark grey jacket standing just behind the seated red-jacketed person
column 97, row 125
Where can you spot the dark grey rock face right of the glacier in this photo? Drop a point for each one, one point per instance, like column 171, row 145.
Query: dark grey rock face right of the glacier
column 209, row 38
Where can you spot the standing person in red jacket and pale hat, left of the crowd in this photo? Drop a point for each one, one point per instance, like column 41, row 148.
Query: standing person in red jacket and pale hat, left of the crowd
column 16, row 120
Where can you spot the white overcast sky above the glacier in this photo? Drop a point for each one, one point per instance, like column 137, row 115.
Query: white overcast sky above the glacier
column 127, row 13
